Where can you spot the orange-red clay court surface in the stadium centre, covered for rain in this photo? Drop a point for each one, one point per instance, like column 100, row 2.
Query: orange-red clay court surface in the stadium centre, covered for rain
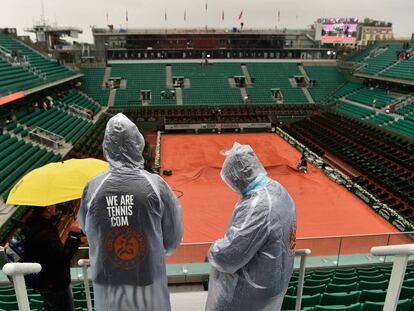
column 323, row 207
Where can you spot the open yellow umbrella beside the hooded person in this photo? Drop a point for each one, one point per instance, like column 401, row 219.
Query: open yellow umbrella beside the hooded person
column 55, row 182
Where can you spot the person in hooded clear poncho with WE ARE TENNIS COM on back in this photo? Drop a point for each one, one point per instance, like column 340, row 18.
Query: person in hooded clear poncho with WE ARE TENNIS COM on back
column 132, row 219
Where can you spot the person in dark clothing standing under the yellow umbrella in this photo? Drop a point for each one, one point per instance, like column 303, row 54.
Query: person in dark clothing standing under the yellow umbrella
column 43, row 245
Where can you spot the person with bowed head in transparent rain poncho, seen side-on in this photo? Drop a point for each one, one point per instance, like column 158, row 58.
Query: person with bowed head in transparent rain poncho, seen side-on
column 252, row 264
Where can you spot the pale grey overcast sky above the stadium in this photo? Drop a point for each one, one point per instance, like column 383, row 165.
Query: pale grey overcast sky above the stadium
column 151, row 13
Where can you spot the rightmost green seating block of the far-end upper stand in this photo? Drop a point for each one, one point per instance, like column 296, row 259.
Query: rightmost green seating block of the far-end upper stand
column 327, row 81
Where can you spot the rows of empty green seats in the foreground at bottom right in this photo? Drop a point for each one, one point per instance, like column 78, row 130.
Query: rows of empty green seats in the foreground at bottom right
column 350, row 288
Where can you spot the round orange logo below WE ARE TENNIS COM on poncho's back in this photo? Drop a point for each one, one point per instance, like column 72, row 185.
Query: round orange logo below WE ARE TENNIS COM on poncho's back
column 126, row 247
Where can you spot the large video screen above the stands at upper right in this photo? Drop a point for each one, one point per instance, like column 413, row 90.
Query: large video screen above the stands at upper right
column 337, row 30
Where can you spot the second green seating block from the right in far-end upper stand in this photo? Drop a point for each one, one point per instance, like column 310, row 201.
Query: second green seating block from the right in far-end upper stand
column 274, row 75
